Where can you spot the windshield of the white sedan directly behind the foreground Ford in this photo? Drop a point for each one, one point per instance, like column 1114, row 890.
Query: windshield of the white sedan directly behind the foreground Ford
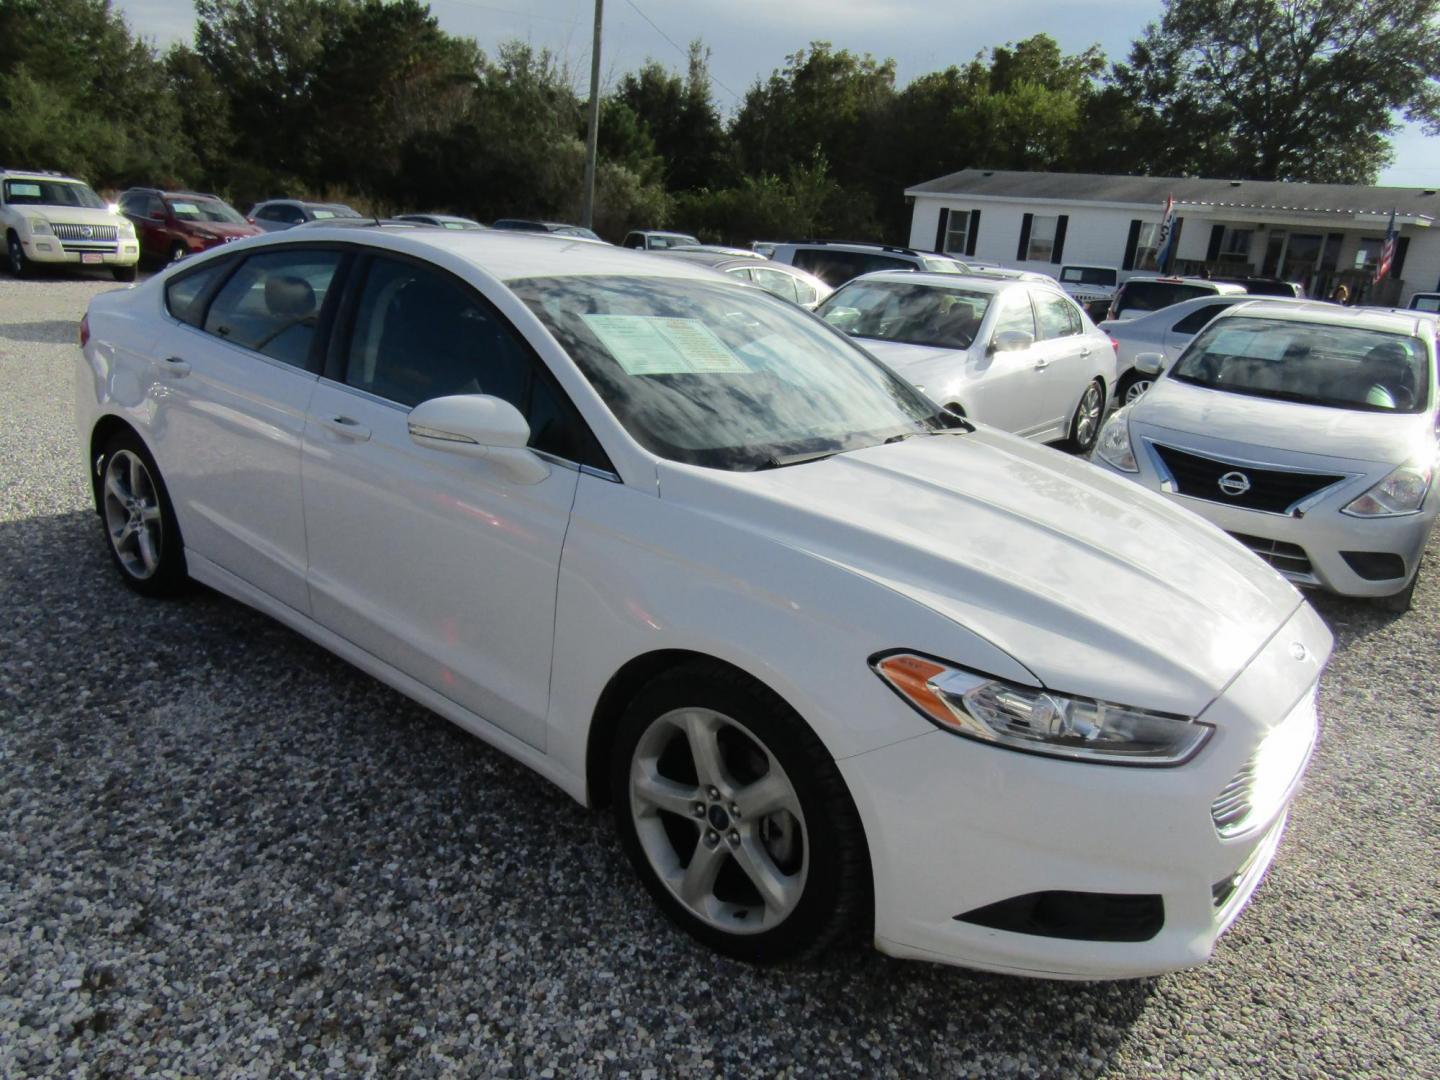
column 912, row 315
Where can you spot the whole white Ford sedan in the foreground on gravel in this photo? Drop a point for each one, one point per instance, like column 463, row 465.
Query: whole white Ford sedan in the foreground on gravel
column 837, row 660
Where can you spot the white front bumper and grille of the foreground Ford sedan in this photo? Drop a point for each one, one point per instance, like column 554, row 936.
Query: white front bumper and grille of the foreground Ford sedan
column 955, row 827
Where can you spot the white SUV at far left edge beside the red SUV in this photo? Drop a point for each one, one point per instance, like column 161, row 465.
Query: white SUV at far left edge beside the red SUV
column 53, row 218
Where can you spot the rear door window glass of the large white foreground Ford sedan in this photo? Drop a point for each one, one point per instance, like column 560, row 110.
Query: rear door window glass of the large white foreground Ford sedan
column 273, row 303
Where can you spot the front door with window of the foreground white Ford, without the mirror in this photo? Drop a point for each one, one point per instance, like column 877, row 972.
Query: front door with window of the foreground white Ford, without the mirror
column 440, row 565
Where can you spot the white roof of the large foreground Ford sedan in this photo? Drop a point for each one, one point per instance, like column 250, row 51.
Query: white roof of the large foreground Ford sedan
column 509, row 256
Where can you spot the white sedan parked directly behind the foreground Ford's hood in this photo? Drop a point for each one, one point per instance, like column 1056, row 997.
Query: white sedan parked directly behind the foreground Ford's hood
column 1013, row 352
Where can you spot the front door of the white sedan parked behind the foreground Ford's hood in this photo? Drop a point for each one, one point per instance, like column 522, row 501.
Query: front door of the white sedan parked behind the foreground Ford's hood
column 1003, row 385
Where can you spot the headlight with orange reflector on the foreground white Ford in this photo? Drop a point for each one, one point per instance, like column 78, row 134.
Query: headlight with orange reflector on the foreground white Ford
column 1039, row 721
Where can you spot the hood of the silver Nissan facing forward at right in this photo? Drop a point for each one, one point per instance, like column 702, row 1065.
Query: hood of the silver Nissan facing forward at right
column 1377, row 437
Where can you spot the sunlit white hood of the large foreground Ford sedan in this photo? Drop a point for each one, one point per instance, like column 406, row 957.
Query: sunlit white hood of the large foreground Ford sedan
column 1097, row 585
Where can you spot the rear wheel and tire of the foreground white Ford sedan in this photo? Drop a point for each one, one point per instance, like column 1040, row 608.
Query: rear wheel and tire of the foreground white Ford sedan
column 140, row 523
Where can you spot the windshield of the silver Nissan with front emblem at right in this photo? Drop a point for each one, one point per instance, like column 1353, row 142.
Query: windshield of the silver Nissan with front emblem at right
column 1315, row 364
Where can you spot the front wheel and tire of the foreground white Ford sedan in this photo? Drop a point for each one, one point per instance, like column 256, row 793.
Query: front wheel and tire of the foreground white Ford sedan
column 737, row 819
